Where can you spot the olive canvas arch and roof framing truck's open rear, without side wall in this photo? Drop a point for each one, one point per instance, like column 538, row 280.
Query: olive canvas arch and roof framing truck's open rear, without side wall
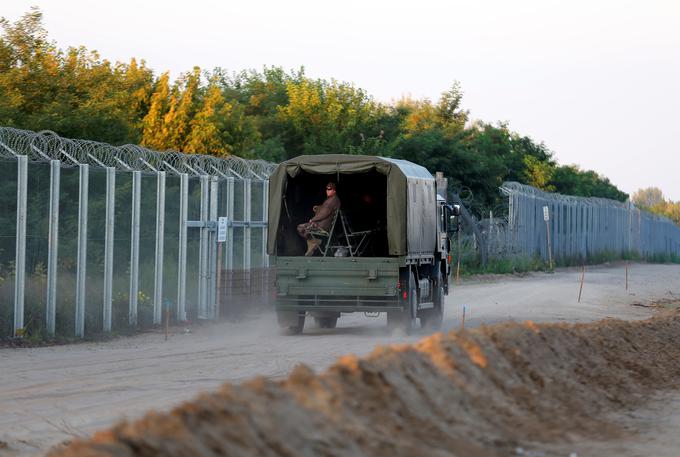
column 398, row 173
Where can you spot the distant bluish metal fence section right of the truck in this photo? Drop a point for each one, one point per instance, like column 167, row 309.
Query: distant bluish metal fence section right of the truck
column 554, row 227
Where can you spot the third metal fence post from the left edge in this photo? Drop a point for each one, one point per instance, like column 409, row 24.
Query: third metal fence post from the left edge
column 81, row 269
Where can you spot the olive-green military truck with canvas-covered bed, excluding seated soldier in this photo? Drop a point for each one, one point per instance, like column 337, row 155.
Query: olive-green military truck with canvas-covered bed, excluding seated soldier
column 387, row 250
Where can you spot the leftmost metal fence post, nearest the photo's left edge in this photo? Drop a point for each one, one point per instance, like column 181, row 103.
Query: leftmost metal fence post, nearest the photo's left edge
column 20, row 259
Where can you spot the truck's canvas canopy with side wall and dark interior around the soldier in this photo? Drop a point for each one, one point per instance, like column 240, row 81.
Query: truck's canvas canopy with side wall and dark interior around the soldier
column 404, row 194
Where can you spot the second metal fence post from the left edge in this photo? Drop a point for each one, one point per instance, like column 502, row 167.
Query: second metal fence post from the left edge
column 53, row 248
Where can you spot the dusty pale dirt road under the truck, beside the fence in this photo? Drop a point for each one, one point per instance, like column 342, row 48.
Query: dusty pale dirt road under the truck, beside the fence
column 50, row 394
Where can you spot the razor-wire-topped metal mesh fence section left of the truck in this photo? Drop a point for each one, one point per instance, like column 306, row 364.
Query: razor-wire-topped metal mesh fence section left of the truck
column 97, row 238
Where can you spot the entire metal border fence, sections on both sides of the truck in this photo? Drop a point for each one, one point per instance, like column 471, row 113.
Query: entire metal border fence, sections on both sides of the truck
column 96, row 238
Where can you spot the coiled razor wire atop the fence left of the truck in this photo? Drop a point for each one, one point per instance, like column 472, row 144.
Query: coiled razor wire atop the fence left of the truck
column 46, row 145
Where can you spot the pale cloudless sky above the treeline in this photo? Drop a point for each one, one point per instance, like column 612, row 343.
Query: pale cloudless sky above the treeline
column 597, row 81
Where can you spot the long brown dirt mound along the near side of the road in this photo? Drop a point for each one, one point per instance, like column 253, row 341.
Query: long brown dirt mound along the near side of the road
column 475, row 393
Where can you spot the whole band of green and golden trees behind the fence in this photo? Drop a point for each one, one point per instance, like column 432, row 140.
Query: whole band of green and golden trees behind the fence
column 270, row 114
